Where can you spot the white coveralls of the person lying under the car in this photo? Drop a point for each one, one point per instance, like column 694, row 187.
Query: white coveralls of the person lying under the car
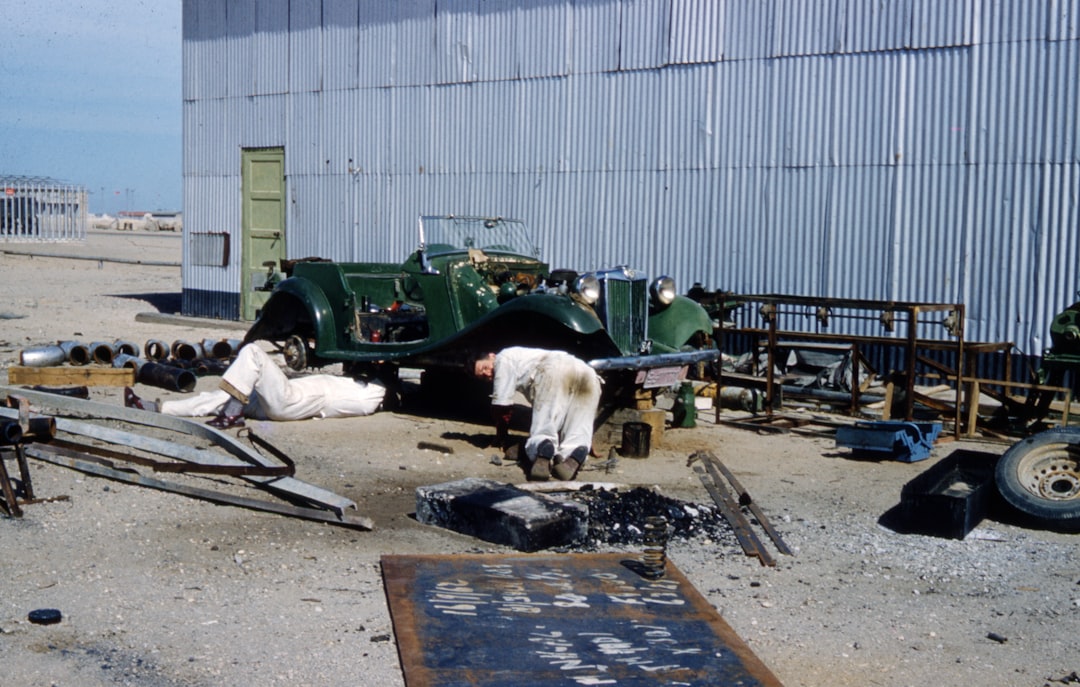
column 268, row 395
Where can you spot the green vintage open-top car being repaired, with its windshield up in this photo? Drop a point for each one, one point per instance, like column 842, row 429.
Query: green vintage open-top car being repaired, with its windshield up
column 476, row 285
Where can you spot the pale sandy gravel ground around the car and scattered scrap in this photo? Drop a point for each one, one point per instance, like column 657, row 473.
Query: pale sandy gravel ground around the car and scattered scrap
column 158, row 589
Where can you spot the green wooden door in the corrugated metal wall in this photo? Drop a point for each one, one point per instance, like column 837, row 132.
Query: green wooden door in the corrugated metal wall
column 263, row 224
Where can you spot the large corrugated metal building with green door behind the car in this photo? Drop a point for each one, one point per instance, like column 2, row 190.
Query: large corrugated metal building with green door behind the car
column 899, row 150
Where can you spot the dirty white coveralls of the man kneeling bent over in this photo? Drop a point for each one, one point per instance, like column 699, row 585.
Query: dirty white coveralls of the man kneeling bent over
column 564, row 392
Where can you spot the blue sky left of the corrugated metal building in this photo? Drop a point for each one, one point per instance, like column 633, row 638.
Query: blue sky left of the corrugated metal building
column 90, row 96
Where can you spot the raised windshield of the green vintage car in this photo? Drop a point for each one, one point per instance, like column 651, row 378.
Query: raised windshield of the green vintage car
column 491, row 235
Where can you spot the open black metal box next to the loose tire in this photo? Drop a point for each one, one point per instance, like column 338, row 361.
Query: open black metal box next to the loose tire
column 951, row 499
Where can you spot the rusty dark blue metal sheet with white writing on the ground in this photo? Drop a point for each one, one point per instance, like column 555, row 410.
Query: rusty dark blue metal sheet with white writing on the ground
column 558, row 619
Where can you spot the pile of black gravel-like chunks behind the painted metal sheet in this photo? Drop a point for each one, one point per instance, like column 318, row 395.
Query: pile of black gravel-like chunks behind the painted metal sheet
column 618, row 518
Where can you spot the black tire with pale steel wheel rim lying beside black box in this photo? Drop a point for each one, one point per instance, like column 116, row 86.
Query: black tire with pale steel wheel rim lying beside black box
column 1041, row 477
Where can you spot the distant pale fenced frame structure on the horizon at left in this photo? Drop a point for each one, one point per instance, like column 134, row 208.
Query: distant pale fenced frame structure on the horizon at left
column 43, row 212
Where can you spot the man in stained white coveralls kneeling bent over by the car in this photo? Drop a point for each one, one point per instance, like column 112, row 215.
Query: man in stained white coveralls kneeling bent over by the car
column 564, row 393
